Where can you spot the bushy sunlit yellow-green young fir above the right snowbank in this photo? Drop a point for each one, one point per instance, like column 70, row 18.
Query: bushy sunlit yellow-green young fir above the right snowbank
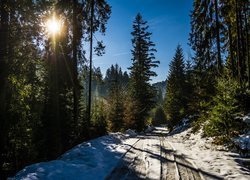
column 221, row 119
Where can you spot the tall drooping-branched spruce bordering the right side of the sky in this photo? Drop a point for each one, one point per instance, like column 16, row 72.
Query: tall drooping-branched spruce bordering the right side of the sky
column 203, row 38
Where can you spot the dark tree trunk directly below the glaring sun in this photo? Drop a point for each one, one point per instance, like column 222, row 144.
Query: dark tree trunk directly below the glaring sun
column 53, row 118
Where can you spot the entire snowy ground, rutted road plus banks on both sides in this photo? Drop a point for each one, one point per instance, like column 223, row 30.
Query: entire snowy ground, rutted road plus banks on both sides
column 156, row 155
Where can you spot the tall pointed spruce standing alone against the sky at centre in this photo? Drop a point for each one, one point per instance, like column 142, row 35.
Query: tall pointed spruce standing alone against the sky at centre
column 143, row 60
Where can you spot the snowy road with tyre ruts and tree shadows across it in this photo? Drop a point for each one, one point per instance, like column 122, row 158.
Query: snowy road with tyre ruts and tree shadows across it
column 152, row 157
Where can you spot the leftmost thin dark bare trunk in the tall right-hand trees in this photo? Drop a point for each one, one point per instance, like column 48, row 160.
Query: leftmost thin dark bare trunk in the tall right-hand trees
column 219, row 63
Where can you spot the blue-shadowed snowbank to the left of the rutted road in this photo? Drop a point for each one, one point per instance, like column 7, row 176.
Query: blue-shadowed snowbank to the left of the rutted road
column 94, row 159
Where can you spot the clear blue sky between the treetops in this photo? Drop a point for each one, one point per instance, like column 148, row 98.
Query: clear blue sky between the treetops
column 168, row 20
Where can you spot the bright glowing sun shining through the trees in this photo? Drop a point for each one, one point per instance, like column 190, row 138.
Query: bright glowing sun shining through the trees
column 53, row 25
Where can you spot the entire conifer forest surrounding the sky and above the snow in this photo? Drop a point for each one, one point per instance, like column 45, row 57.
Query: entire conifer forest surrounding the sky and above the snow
column 52, row 97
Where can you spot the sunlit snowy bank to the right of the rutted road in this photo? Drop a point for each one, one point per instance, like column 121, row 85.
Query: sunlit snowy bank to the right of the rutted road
column 208, row 157
